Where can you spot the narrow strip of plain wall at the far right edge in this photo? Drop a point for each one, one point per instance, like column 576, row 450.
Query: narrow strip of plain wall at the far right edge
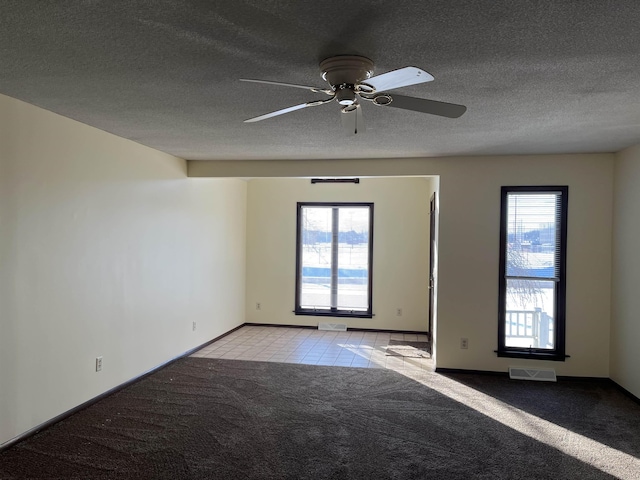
column 625, row 324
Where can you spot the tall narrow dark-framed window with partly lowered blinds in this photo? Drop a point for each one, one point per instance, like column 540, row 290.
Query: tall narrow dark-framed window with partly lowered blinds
column 533, row 245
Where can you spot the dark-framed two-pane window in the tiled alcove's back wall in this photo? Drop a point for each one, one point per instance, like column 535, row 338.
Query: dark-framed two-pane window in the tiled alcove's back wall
column 333, row 259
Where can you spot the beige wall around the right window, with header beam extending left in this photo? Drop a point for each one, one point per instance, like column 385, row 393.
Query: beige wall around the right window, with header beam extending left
column 468, row 245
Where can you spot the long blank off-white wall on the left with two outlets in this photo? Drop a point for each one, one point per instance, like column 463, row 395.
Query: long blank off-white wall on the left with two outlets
column 107, row 249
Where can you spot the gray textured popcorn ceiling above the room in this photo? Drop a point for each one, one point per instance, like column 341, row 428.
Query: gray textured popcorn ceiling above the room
column 537, row 76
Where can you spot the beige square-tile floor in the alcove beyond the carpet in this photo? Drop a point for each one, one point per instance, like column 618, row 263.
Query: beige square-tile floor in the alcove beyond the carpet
column 315, row 347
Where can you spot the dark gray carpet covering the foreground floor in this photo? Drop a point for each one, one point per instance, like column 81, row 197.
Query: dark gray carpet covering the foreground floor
column 225, row 419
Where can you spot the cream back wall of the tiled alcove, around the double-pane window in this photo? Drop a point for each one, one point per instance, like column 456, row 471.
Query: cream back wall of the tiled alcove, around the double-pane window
column 401, row 238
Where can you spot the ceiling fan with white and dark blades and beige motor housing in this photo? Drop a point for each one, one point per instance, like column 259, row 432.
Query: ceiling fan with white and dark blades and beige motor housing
column 350, row 81
